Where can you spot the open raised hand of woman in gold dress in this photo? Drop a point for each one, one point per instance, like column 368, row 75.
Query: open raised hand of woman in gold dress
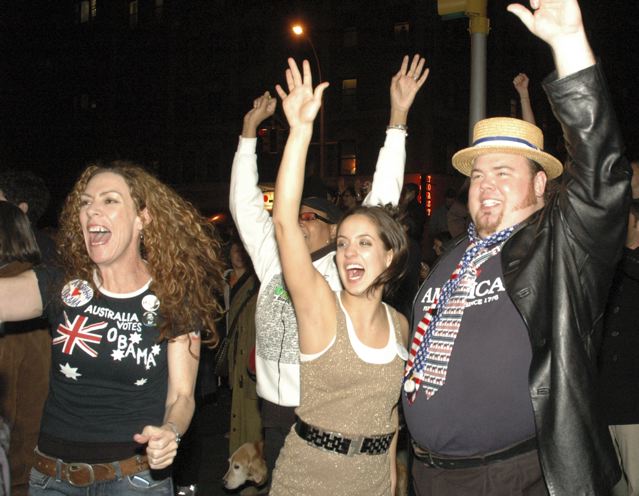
column 301, row 104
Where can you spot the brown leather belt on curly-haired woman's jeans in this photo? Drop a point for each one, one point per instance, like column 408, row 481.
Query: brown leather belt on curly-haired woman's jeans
column 85, row 474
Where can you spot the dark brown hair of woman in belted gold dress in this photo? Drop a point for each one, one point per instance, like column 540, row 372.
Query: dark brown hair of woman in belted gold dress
column 393, row 235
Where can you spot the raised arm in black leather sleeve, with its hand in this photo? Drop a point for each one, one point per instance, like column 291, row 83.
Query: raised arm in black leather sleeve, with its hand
column 596, row 176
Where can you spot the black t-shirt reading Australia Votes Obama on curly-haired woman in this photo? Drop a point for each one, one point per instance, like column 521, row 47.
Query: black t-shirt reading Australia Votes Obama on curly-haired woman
column 109, row 373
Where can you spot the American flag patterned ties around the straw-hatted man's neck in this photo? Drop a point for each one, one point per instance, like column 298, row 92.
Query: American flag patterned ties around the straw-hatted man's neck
column 435, row 335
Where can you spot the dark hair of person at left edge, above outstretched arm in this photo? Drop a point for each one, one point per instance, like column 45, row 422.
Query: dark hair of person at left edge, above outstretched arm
column 17, row 241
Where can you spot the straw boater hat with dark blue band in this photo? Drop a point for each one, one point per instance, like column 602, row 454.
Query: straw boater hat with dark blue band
column 507, row 135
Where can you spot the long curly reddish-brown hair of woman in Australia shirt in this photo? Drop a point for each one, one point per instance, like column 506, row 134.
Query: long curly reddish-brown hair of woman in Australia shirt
column 181, row 249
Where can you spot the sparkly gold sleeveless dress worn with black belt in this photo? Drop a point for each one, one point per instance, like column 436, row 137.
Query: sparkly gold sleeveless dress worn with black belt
column 342, row 393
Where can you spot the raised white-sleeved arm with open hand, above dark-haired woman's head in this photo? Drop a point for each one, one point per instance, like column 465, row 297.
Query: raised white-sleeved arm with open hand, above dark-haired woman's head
column 389, row 172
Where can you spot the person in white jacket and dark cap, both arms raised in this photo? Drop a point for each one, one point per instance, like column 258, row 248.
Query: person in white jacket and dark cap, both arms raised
column 277, row 347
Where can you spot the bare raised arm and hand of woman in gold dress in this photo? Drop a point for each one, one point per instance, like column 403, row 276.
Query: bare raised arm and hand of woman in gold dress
column 308, row 289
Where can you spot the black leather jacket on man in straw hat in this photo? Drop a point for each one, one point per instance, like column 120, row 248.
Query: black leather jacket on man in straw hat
column 558, row 267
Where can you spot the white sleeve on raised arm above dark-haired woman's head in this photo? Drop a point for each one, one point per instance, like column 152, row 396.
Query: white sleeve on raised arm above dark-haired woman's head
column 389, row 172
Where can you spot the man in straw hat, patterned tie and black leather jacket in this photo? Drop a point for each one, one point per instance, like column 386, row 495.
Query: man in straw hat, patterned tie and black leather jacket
column 499, row 391
